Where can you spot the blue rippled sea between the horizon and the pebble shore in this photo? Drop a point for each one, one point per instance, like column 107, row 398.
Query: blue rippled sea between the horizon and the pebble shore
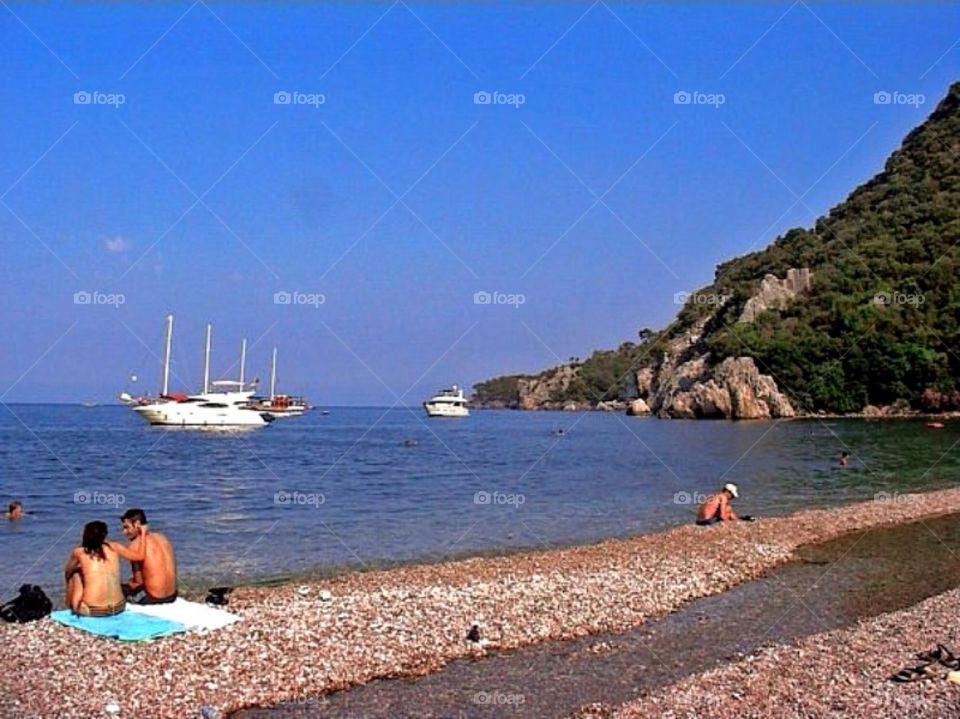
column 375, row 485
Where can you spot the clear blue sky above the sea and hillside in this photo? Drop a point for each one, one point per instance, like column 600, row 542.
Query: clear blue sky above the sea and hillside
column 396, row 199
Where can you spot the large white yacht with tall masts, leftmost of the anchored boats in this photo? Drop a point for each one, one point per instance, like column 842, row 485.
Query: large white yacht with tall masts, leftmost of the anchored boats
column 226, row 405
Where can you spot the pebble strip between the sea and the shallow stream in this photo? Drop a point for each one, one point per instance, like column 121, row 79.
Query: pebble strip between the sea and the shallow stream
column 411, row 620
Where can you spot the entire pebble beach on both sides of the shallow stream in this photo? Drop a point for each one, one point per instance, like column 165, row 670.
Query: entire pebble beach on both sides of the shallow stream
column 297, row 641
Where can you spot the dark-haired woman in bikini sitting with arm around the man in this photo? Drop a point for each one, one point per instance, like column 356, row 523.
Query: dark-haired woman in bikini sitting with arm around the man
column 92, row 574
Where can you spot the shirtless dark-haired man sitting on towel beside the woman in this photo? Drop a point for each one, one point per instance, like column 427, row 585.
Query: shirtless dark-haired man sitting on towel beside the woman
column 155, row 573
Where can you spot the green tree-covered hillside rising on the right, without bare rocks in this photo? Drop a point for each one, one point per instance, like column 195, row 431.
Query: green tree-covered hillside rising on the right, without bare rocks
column 881, row 323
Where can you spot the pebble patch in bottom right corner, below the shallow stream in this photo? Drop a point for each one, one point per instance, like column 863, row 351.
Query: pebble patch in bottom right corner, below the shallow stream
column 832, row 674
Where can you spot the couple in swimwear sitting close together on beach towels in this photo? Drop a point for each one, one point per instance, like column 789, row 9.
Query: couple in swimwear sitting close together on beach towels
column 92, row 573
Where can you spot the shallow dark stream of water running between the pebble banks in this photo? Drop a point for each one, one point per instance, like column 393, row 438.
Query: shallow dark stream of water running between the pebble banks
column 832, row 585
